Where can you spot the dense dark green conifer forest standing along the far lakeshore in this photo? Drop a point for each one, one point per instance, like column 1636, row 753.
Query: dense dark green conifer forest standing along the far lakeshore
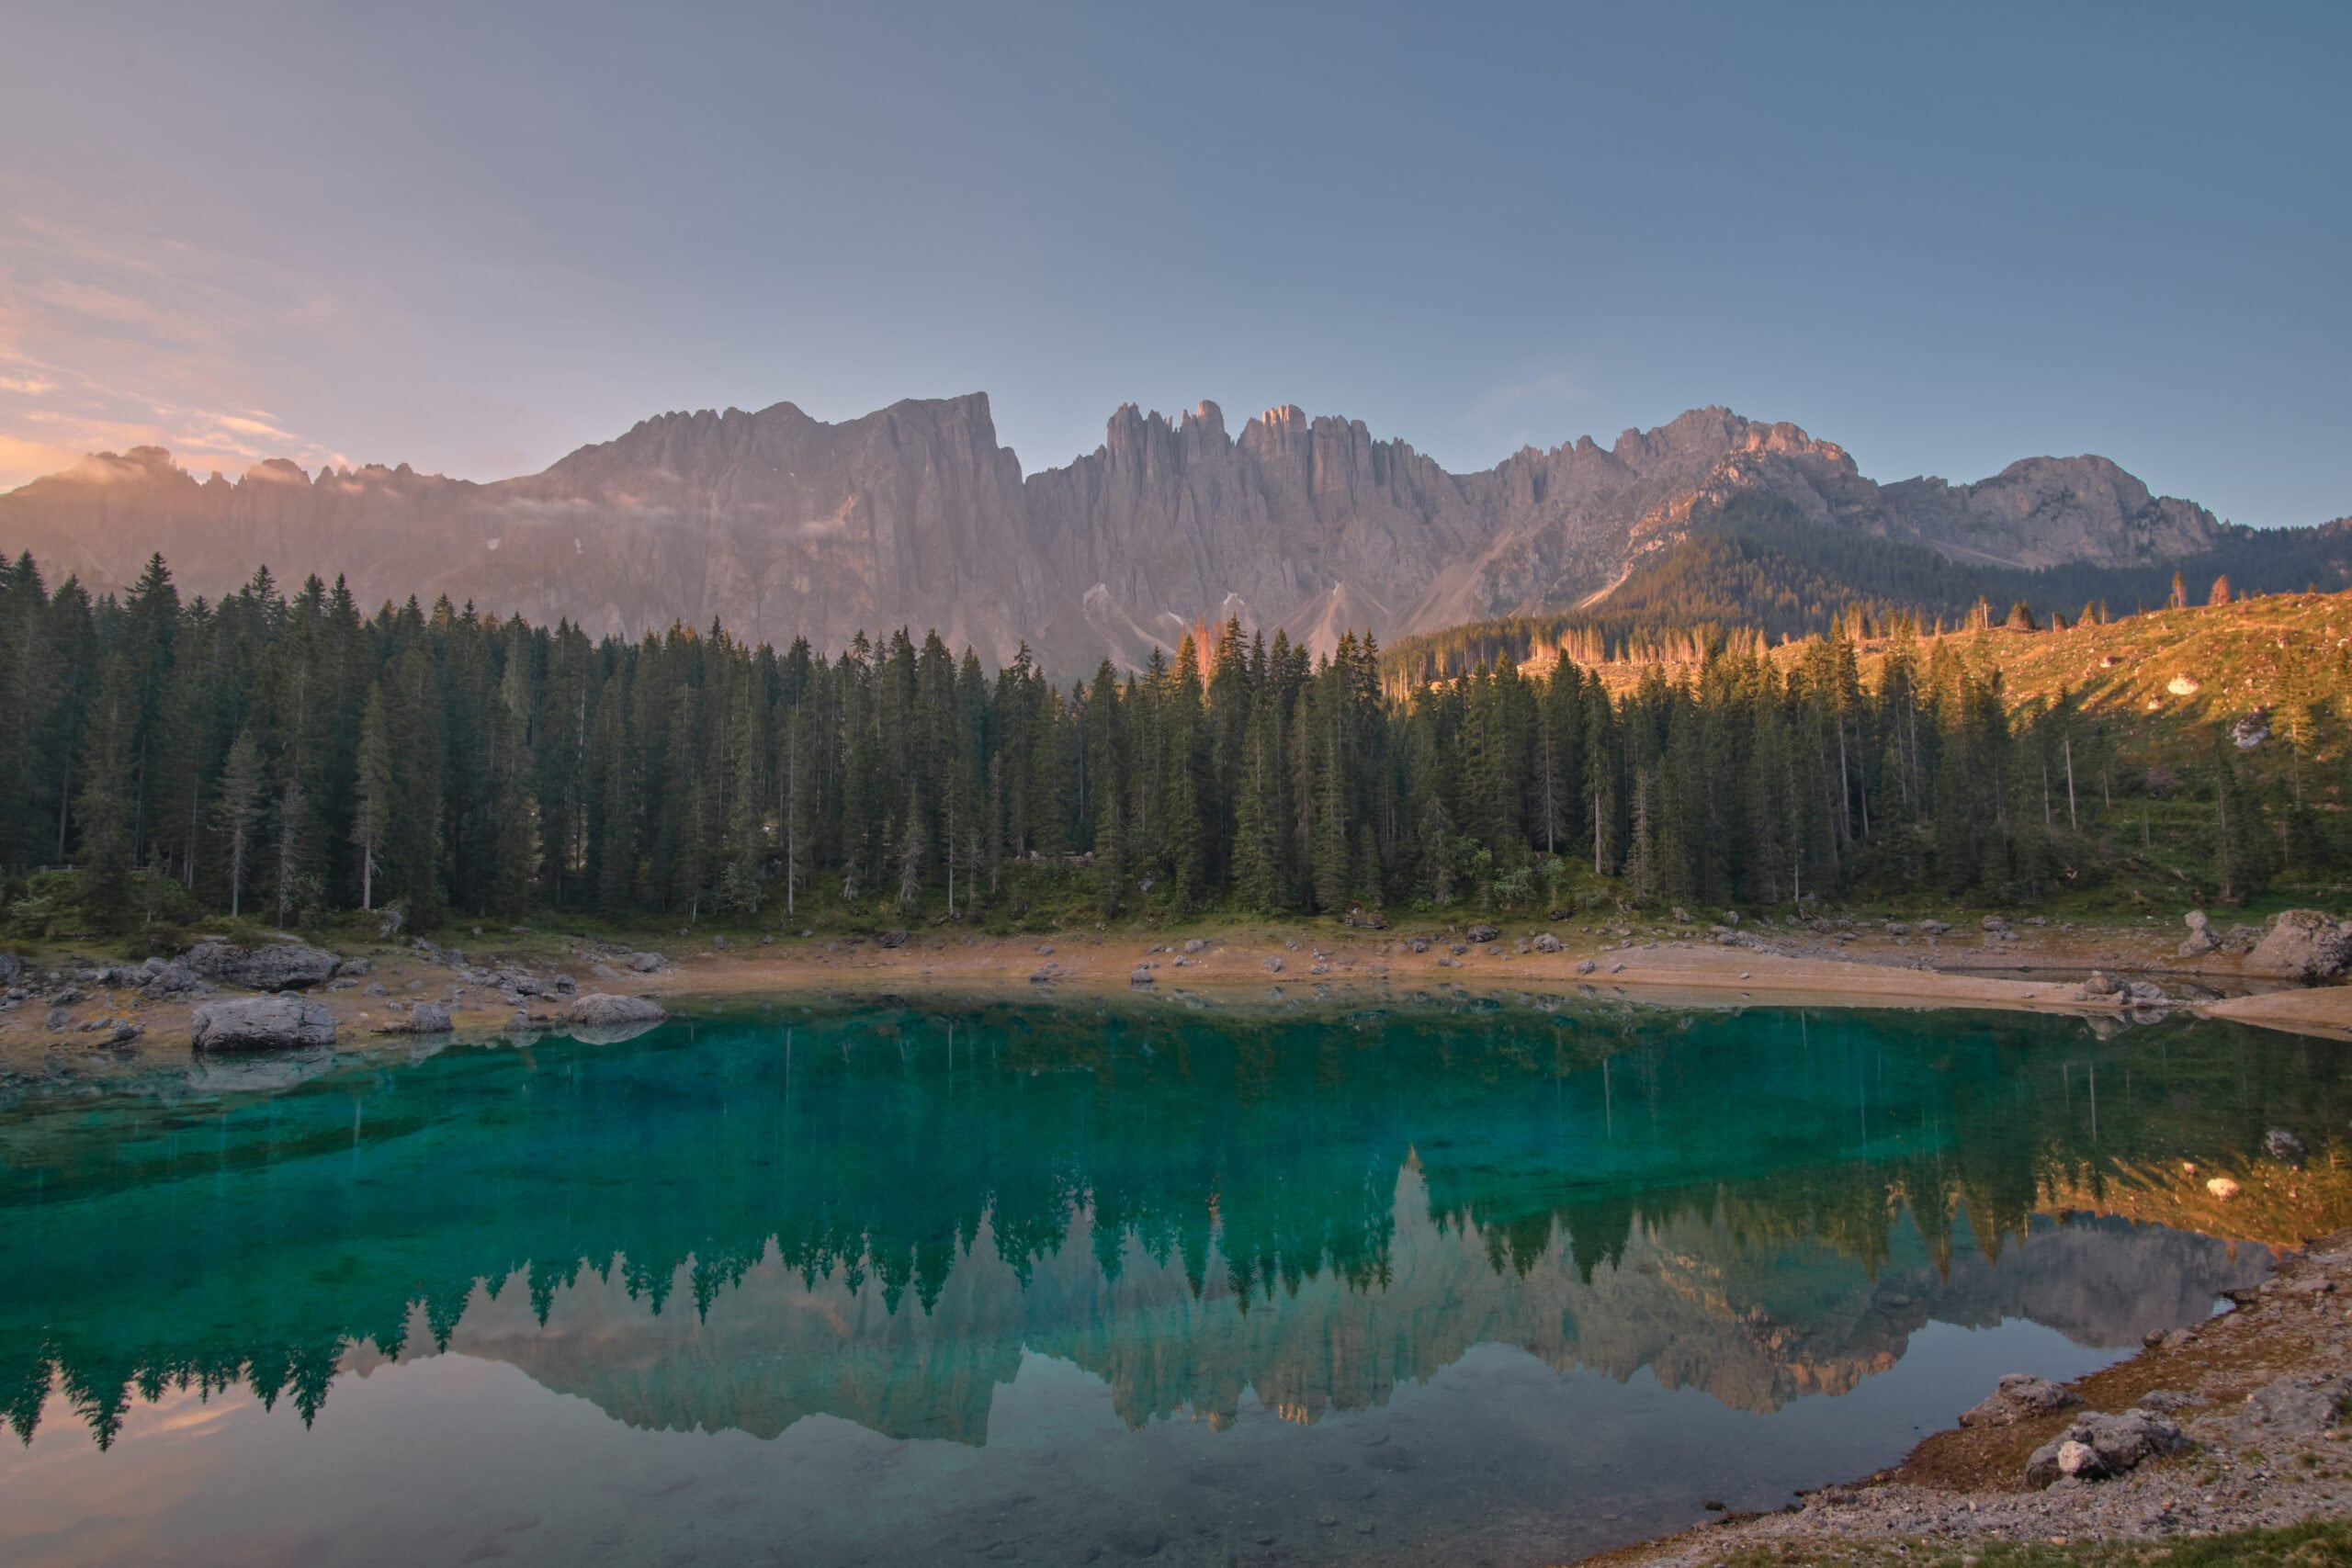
column 293, row 756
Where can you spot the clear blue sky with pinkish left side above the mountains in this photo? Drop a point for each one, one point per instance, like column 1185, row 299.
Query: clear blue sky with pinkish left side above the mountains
column 479, row 236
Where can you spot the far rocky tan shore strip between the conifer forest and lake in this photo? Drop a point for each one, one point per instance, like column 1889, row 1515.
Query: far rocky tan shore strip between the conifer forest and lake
column 72, row 1019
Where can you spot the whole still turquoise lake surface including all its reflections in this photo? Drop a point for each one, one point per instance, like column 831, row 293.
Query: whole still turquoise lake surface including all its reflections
column 1057, row 1287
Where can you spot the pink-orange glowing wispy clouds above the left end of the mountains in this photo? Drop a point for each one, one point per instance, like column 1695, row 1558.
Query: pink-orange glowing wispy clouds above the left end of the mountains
column 112, row 340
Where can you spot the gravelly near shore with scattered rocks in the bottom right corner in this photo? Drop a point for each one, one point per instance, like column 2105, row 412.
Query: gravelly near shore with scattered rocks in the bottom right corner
column 2254, row 1391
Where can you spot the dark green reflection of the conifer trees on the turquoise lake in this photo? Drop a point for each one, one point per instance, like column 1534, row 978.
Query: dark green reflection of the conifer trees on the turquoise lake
column 853, row 1144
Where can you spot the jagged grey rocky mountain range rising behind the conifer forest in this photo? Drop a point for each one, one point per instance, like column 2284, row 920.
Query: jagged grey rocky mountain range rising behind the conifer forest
column 782, row 525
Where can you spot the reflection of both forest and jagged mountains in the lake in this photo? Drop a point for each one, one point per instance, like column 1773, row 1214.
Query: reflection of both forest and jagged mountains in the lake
column 874, row 1212
